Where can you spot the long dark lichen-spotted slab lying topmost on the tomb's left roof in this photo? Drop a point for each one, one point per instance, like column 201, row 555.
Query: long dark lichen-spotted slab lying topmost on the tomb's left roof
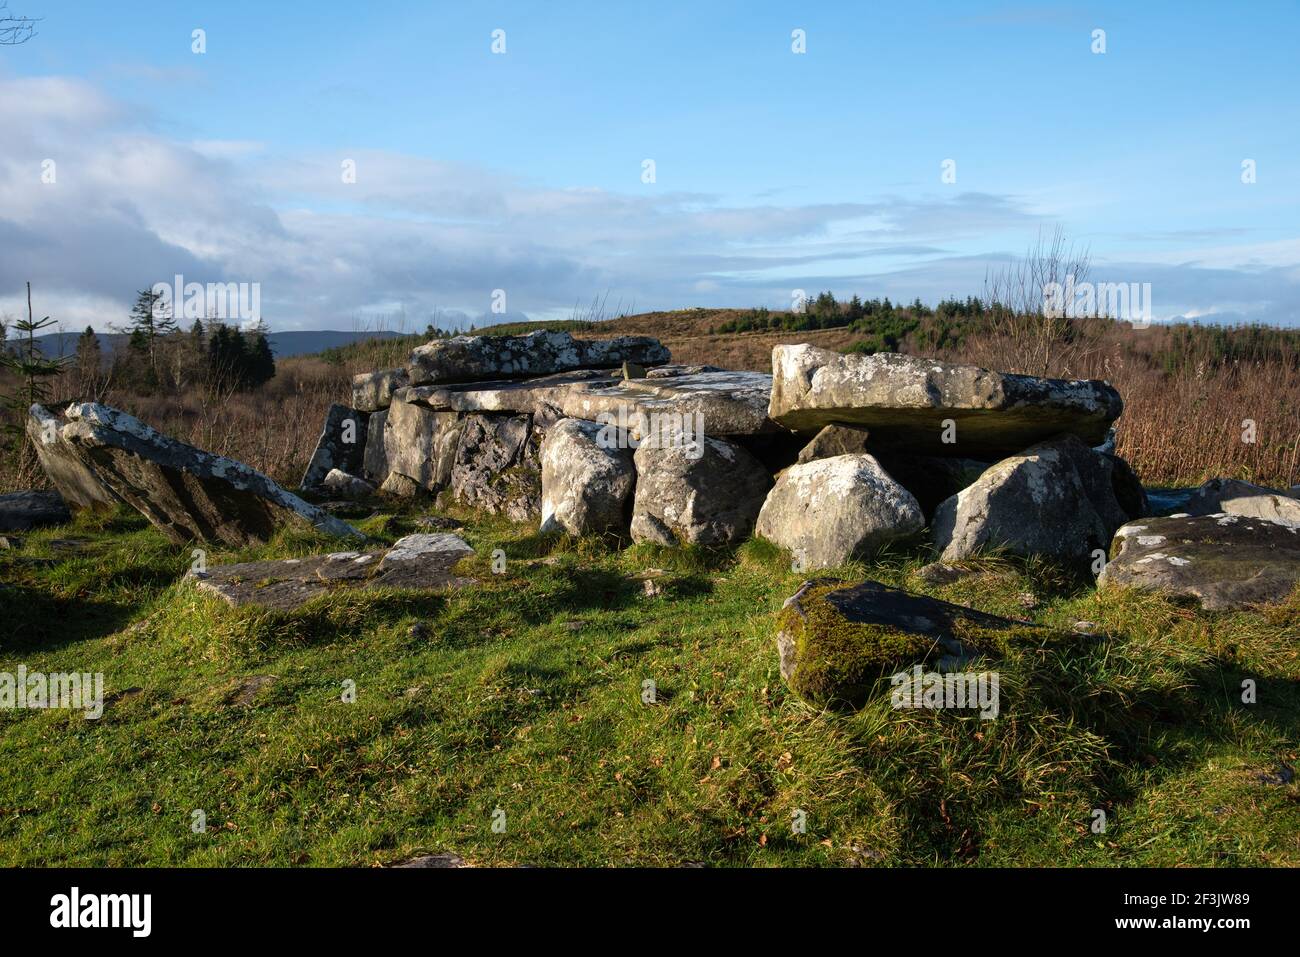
column 470, row 358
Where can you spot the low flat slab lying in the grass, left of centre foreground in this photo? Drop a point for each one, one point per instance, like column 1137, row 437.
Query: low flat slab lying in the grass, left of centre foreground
column 415, row 562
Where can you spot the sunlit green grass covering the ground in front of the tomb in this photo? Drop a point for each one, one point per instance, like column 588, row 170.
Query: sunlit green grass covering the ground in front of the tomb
column 527, row 695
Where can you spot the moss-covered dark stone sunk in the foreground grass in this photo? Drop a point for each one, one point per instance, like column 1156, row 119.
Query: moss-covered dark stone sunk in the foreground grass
column 839, row 643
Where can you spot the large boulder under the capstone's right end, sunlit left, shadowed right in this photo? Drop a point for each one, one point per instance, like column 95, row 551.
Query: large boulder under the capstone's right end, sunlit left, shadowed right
column 1056, row 500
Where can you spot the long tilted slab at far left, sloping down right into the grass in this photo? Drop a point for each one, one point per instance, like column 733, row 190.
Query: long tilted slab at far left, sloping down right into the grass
column 188, row 493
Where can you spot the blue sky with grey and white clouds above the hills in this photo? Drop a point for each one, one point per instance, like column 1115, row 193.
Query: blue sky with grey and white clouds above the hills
column 409, row 163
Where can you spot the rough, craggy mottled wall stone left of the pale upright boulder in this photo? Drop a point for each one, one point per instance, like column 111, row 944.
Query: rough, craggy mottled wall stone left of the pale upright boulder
column 497, row 467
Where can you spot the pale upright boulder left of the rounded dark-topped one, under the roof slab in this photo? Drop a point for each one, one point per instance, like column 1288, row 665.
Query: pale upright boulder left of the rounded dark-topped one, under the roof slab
column 587, row 482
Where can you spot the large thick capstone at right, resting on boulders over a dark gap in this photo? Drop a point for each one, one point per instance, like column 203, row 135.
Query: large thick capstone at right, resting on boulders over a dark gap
column 908, row 402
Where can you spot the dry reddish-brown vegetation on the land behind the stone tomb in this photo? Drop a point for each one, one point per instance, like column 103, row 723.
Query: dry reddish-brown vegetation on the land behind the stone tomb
column 1184, row 422
